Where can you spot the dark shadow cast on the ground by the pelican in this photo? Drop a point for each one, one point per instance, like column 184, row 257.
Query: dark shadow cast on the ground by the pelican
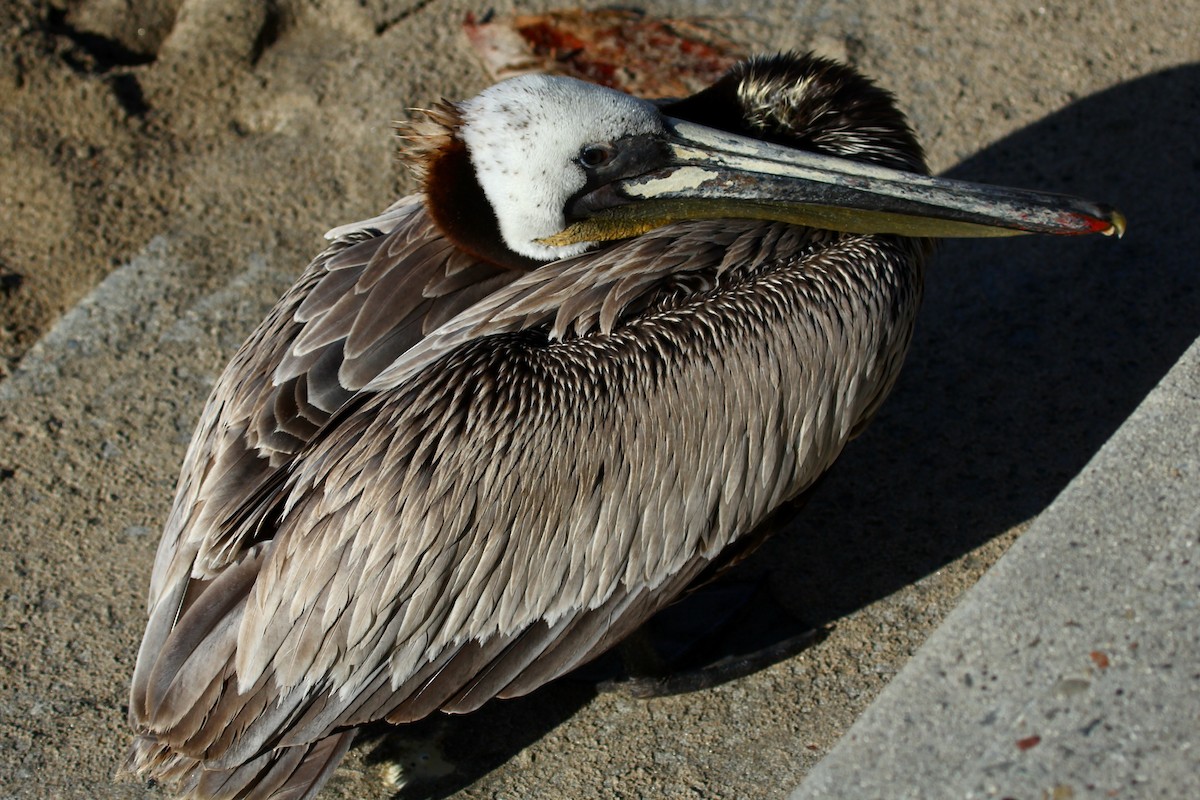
column 1028, row 356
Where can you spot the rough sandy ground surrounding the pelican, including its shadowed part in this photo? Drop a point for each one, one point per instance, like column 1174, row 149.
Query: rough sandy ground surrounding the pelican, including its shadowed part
column 193, row 154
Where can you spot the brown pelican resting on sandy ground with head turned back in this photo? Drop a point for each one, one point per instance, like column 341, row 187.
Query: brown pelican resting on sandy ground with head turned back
column 495, row 429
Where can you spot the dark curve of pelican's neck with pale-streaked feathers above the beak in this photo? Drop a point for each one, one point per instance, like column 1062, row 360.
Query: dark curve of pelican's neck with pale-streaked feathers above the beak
column 811, row 104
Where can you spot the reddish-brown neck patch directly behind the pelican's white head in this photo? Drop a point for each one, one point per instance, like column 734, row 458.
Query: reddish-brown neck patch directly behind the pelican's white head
column 460, row 209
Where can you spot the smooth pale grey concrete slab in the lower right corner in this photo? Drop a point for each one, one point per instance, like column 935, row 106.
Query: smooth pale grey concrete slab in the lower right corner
column 1072, row 670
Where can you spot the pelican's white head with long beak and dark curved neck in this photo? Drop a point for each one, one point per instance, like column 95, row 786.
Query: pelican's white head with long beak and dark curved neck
column 560, row 166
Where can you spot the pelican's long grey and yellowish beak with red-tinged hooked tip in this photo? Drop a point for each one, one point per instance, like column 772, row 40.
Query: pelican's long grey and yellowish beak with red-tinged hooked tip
column 711, row 175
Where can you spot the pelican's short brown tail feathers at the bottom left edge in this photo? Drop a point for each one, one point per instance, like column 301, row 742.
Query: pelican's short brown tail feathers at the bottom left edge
column 285, row 774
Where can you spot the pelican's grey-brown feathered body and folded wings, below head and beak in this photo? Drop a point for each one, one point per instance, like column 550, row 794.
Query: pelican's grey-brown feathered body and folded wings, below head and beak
column 425, row 482
